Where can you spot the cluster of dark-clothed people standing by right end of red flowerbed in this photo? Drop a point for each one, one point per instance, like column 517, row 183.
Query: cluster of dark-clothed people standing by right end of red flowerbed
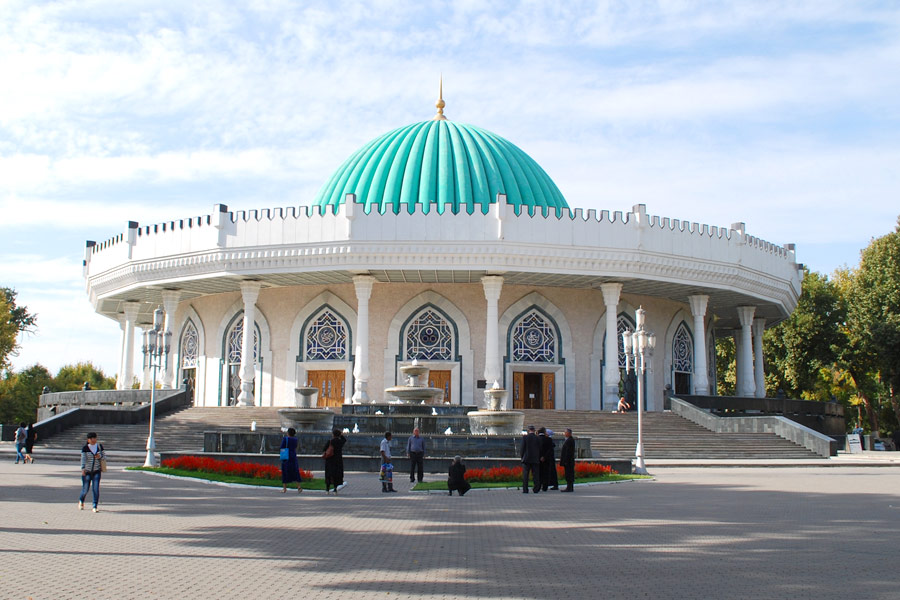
column 538, row 460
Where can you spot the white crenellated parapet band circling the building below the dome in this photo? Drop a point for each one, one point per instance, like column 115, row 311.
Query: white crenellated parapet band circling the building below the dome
column 567, row 247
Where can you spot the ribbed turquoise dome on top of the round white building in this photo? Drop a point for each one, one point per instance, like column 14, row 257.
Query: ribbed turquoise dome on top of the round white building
column 440, row 165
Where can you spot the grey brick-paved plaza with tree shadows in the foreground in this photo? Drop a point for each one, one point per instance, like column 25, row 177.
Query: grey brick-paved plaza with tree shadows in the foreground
column 800, row 532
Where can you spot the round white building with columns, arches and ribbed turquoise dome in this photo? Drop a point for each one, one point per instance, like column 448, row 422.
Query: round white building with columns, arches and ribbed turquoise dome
column 470, row 264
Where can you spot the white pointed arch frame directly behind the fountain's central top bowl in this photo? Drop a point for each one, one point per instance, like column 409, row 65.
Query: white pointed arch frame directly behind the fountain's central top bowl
column 461, row 359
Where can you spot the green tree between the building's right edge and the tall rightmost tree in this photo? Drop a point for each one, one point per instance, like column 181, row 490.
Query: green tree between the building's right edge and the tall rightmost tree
column 799, row 349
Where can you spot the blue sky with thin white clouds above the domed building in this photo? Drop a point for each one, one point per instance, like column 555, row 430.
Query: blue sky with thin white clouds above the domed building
column 781, row 115
